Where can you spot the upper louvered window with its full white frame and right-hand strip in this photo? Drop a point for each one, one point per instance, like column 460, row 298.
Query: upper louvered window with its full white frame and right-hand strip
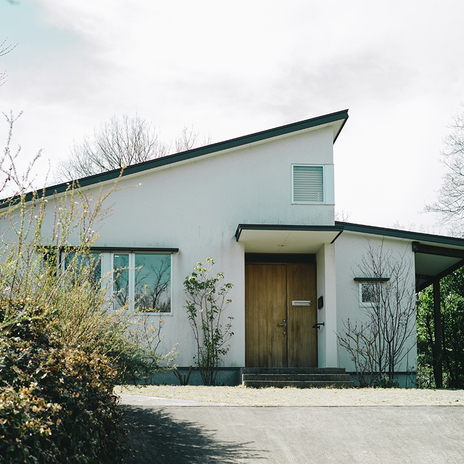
column 312, row 184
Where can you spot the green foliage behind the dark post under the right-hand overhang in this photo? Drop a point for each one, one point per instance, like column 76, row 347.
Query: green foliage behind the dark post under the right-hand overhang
column 452, row 321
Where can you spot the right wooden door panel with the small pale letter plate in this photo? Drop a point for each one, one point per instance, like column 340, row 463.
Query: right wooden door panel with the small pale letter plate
column 302, row 338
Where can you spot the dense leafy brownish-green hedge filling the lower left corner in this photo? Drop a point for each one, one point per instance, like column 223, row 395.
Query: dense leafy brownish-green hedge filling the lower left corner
column 56, row 402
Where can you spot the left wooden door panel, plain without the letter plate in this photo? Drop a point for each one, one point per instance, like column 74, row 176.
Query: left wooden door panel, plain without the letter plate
column 265, row 308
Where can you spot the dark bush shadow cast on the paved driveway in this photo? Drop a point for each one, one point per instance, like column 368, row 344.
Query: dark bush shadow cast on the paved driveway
column 155, row 437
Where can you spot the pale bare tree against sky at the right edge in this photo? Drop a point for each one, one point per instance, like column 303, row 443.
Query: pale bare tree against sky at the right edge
column 450, row 203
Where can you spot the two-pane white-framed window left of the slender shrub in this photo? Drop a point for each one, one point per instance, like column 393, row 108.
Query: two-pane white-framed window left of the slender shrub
column 143, row 280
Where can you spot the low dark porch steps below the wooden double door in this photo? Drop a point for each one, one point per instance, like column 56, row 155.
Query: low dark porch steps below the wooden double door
column 309, row 377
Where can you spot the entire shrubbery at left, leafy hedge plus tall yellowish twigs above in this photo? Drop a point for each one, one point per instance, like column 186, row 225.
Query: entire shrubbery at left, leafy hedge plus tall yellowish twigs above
column 62, row 347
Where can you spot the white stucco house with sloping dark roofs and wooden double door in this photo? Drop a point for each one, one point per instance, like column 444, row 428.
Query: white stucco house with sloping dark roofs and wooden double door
column 262, row 206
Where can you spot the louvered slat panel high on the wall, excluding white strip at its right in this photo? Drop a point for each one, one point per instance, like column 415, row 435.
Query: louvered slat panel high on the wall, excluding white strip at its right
column 308, row 184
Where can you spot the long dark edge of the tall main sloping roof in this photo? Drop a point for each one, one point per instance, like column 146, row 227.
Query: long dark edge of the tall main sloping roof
column 194, row 153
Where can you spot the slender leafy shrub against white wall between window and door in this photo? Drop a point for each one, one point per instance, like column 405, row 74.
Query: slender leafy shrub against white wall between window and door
column 205, row 304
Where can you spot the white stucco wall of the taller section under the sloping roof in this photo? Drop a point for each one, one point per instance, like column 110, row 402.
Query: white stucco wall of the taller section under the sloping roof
column 196, row 207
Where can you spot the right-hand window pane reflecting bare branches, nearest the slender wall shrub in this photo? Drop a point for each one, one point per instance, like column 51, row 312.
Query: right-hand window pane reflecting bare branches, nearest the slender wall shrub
column 153, row 282
